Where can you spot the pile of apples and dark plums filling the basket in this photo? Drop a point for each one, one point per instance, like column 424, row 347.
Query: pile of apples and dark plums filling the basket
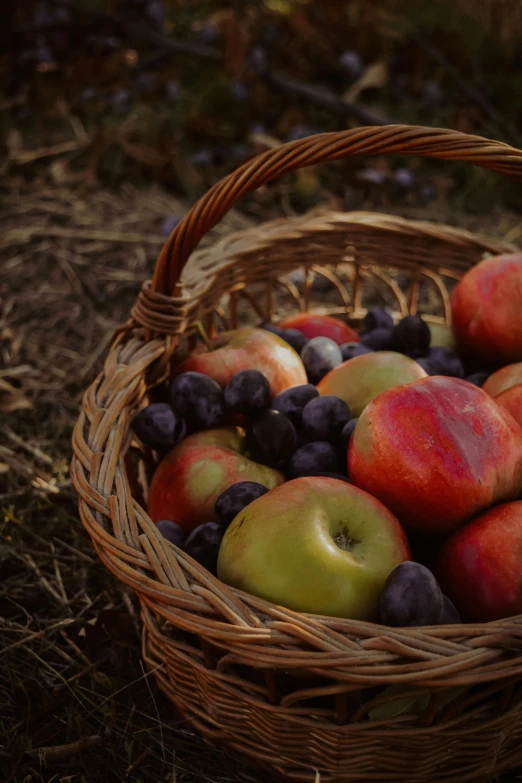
column 374, row 474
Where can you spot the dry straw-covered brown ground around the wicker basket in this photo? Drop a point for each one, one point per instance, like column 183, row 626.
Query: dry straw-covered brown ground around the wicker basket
column 77, row 705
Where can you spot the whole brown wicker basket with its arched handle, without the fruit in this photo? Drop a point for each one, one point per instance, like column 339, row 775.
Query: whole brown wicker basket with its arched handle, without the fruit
column 297, row 693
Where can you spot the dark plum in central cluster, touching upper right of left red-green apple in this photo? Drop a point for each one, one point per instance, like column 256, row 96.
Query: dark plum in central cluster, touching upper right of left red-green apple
column 271, row 438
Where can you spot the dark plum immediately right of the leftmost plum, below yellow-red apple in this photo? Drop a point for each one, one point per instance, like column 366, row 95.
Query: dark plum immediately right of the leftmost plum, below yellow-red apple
column 199, row 399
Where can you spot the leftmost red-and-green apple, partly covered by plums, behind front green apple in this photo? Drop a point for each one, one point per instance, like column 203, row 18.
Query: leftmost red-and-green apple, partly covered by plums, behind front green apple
column 192, row 476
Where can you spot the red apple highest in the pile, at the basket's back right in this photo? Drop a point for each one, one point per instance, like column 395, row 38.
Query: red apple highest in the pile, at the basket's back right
column 486, row 307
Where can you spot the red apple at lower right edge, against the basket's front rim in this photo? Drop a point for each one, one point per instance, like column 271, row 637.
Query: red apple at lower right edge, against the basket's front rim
column 479, row 566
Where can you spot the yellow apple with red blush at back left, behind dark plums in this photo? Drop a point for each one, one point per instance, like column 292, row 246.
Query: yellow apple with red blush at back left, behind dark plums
column 248, row 349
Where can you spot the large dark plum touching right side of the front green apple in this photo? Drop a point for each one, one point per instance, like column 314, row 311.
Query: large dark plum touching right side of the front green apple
column 411, row 596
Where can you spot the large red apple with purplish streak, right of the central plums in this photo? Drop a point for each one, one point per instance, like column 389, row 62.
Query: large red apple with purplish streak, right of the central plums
column 436, row 452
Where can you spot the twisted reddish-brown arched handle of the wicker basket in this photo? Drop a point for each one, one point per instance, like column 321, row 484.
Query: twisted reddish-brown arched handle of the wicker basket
column 416, row 140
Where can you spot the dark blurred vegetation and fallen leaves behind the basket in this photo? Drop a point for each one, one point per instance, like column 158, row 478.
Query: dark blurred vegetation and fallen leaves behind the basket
column 179, row 92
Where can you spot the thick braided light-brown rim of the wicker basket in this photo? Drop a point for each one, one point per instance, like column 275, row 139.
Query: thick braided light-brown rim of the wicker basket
column 442, row 655
